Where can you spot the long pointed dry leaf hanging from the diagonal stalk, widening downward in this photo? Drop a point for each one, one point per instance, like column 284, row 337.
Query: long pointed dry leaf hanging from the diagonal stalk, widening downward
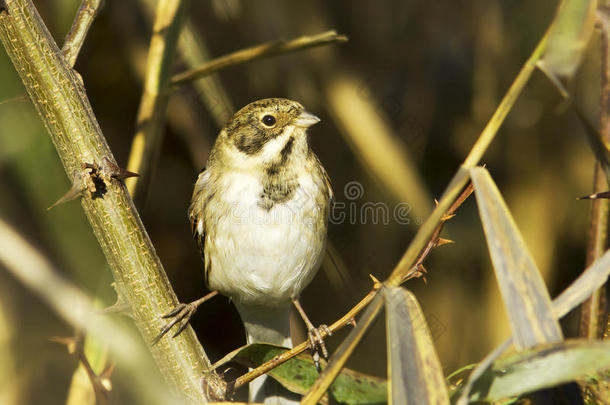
column 525, row 296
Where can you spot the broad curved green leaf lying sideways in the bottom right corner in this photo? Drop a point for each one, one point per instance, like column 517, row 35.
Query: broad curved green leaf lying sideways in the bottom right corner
column 543, row 367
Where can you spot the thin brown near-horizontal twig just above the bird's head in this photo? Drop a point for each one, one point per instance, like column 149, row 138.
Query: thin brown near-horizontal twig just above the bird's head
column 257, row 52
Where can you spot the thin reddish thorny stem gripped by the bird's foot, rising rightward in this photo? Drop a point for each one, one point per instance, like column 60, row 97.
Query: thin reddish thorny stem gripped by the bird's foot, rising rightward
column 349, row 317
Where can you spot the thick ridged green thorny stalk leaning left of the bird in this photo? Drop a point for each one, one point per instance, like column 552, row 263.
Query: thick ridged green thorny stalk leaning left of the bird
column 60, row 99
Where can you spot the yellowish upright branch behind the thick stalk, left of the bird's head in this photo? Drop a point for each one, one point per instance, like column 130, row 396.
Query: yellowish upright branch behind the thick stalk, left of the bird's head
column 153, row 104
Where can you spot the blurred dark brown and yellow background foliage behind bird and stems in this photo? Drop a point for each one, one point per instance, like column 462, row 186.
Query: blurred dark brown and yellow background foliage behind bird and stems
column 420, row 77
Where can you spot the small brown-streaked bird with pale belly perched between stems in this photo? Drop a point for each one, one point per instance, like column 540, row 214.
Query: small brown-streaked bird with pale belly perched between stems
column 259, row 214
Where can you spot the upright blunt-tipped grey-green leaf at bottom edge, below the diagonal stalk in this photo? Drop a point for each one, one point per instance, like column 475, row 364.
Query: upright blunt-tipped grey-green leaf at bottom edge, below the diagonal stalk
column 415, row 373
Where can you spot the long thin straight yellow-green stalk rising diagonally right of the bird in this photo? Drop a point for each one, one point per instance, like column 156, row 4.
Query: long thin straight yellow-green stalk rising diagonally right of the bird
column 456, row 184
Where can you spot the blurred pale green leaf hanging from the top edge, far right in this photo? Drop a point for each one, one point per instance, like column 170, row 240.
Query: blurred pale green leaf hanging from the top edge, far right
column 569, row 36
